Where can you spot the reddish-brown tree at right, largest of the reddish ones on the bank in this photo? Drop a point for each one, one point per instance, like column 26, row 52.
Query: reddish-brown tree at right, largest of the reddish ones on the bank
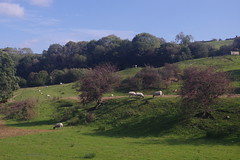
column 201, row 88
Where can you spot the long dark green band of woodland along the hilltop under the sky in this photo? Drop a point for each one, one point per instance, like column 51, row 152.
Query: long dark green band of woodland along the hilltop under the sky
column 62, row 63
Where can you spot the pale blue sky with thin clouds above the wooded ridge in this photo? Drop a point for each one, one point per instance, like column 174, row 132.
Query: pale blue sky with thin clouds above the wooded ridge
column 37, row 24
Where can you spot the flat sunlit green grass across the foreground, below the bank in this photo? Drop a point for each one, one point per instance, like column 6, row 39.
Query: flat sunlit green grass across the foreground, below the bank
column 75, row 143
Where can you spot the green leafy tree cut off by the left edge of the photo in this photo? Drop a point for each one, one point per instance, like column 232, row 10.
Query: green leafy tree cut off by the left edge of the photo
column 8, row 82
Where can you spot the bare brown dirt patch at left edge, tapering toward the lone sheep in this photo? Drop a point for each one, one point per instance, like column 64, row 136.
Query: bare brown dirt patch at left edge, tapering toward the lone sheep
column 6, row 131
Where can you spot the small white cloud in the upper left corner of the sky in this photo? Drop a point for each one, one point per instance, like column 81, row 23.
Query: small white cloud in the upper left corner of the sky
column 11, row 9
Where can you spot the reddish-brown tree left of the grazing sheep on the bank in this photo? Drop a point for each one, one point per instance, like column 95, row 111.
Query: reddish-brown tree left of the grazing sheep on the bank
column 98, row 81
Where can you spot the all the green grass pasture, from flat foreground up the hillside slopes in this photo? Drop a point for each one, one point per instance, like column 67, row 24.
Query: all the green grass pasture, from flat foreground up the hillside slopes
column 127, row 128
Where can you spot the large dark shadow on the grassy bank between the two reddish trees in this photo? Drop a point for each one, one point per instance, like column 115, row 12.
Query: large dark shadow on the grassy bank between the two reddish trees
column 149, row 126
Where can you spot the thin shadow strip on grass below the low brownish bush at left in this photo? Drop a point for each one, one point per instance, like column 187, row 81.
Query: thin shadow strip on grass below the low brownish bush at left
column 32, row 123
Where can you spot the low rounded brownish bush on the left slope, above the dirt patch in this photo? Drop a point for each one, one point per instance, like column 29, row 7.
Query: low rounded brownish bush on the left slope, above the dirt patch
column 22, row 110
